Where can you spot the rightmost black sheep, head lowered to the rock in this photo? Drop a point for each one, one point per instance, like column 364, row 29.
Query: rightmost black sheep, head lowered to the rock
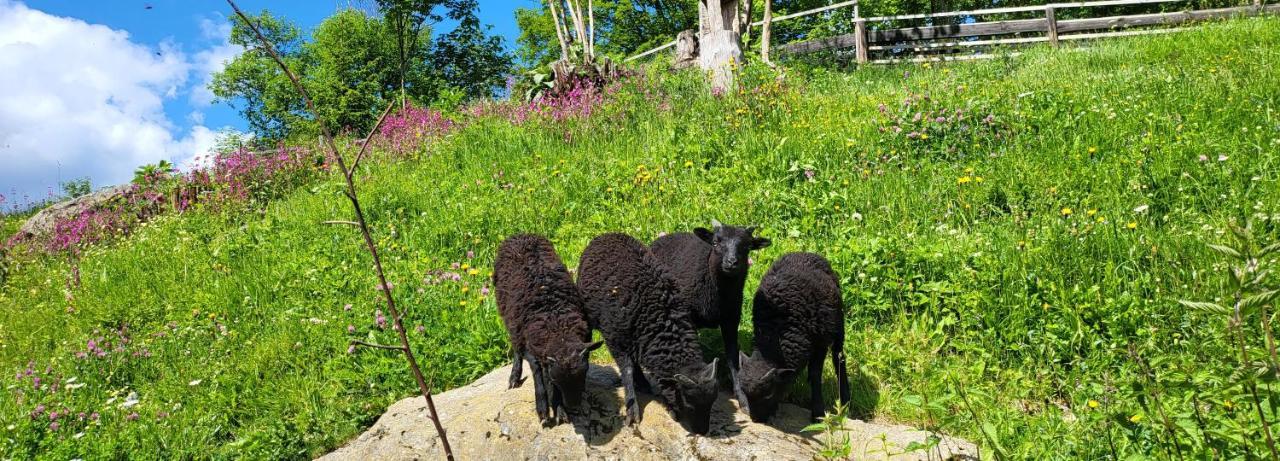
column 798, row 314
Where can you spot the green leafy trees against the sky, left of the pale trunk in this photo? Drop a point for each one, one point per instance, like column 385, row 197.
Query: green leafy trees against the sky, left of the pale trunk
column 356, row 63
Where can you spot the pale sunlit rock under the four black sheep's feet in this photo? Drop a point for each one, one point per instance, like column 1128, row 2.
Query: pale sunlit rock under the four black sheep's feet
column 488, row 422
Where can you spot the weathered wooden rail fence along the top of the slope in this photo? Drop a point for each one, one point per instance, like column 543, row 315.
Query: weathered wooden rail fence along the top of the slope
column 958, row 42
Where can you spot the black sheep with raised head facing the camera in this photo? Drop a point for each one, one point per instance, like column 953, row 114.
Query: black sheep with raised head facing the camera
column 710, row 272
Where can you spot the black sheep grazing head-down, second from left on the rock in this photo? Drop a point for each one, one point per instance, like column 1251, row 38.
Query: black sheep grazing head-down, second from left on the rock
column 629, row 299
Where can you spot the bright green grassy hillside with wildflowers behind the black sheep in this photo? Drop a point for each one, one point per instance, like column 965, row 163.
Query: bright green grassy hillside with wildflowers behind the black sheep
column 1009, row 275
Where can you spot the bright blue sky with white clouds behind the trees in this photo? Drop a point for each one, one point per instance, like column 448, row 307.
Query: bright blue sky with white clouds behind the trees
column 112, row 85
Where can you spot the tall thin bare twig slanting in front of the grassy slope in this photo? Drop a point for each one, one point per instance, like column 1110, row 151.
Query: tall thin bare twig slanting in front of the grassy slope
column 364, row 227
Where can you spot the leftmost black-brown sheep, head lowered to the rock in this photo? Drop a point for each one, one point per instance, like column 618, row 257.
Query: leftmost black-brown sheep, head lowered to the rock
column 543, row 313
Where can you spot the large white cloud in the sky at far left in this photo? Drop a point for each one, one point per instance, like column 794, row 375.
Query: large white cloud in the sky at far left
column 85, row 101
